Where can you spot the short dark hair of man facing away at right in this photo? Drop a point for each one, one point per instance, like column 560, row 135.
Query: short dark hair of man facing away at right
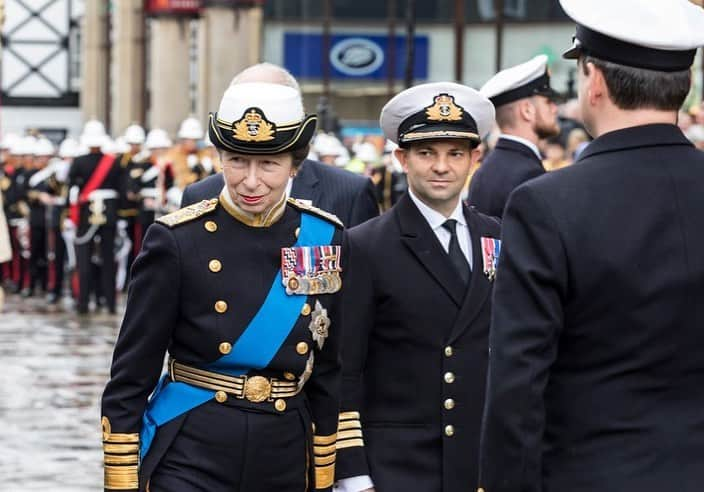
column 638, row 88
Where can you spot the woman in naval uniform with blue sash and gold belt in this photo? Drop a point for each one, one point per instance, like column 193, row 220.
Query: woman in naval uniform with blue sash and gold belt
column 242, row 291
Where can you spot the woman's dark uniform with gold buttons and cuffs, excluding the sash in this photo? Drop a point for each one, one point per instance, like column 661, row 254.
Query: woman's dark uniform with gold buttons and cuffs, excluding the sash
column 195, row 287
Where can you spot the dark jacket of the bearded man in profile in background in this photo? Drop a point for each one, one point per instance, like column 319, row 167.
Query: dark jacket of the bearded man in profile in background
column 507, row 166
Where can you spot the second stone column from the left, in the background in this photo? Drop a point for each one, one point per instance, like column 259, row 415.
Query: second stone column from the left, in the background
column 128, row 65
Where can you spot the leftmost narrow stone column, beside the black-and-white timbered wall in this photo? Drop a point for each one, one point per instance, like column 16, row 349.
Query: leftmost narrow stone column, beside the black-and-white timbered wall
column 94, row 85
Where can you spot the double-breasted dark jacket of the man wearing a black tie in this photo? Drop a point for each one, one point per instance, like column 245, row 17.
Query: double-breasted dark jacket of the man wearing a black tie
column 414, row 355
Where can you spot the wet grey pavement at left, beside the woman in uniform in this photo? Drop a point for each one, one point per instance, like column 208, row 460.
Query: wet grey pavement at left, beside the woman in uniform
column 54, row 366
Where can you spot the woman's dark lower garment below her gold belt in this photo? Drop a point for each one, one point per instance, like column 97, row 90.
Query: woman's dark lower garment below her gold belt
column 221, row 448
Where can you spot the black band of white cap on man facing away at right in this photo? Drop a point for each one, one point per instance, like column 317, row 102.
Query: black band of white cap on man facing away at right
column 631, row 55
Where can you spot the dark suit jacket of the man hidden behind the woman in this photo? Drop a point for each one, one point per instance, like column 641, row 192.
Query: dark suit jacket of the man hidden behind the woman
column 349, row 196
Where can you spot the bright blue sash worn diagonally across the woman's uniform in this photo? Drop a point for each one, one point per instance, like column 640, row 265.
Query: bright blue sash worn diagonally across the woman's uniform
column 254, row 349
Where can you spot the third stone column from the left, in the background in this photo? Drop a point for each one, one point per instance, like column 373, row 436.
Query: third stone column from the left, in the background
column 169, row 77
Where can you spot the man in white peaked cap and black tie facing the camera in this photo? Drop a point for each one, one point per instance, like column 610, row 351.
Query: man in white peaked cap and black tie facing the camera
column 418, row 291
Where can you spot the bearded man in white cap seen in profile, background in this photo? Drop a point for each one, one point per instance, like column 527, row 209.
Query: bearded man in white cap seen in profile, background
column 526, row 113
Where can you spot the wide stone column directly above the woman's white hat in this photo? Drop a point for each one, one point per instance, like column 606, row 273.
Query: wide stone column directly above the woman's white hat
column 229, row 40
